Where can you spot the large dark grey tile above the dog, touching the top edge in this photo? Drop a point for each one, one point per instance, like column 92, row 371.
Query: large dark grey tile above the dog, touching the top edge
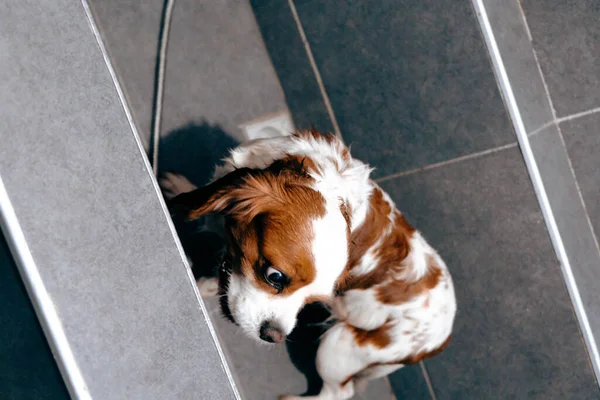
column 410, row 82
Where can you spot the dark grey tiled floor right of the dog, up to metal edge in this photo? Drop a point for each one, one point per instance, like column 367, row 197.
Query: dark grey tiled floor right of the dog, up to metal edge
column 412, row 88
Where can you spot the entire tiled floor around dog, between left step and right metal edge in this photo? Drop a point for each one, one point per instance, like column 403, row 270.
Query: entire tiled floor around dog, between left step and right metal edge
column 411, row 87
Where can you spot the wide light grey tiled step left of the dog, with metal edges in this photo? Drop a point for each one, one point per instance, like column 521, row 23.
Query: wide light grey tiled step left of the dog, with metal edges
column 87, row 222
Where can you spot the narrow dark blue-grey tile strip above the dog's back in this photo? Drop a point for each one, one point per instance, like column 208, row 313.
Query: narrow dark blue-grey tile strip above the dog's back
column 291, row 62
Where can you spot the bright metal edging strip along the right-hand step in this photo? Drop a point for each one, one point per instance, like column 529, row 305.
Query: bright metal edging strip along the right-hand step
column 536, row 177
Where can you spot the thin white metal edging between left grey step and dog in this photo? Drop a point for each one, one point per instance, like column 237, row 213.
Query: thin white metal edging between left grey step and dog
column 161, row 200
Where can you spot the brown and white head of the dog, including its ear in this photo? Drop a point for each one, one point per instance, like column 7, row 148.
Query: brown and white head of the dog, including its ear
column 287, row 243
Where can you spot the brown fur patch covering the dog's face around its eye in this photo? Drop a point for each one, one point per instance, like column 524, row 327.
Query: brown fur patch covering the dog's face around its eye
column 268, row 214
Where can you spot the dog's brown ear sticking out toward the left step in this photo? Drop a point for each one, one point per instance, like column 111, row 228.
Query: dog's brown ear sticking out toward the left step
column 217, row 197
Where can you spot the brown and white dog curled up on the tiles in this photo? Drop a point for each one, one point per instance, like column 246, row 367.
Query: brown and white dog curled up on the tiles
column 304, row 222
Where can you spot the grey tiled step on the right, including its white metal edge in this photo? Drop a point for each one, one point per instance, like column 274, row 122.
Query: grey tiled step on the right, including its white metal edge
column 550, row 54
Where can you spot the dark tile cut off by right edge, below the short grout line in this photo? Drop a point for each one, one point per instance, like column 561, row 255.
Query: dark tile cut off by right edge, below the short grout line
column 582, row 137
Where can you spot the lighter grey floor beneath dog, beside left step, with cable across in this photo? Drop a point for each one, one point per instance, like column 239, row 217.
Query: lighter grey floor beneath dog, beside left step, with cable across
column 219, row 76
